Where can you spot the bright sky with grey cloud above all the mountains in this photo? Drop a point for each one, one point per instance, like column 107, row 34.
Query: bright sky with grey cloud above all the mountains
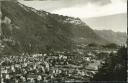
column 83, row 9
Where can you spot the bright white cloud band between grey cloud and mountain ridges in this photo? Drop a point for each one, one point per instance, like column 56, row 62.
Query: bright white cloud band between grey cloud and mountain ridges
column 91, row 10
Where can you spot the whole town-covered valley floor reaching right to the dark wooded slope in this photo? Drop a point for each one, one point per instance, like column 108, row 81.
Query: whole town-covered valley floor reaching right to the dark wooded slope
column 52, row 67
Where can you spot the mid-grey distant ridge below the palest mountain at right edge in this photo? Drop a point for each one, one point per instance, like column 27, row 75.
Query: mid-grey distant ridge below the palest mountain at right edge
column 119, row 38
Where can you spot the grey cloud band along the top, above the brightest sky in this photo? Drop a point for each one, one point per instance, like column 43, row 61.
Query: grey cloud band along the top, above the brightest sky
column 50, row 5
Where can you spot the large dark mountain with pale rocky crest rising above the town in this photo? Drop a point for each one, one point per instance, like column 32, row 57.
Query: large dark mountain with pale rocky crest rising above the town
column 28, row 30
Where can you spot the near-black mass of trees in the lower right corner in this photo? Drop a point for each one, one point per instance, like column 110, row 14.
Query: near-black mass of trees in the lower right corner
column 114, row 68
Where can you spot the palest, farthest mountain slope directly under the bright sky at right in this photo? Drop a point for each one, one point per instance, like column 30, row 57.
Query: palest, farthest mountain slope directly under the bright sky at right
column 117, row 22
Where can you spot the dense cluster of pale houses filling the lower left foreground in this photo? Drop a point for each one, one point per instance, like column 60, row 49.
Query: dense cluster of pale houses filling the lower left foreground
column 40, row 68
